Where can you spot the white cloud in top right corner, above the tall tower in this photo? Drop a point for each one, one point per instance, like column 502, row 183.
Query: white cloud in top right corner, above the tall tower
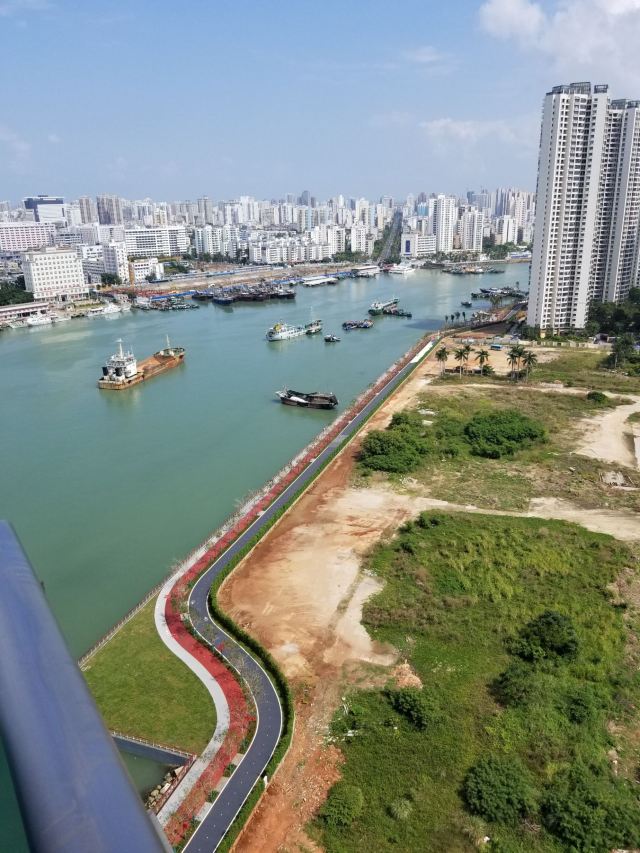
column 578, row 39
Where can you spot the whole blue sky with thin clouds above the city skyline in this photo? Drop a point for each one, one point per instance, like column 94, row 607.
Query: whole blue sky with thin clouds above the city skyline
column 175, row 100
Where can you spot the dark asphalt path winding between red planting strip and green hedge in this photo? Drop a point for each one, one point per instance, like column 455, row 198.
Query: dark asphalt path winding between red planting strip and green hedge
column 269, row 717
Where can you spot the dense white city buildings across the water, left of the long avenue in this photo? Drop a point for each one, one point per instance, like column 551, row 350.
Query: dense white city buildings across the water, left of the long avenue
column 66, row 248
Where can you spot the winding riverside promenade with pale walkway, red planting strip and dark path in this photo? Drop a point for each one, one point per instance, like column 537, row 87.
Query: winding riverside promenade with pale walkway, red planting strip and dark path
column 204, row 804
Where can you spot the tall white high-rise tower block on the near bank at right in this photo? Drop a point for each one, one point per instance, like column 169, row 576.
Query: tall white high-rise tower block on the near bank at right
column 586, row 243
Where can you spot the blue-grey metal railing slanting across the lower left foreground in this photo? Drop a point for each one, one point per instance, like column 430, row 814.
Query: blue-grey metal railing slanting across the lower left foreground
column 74, row 792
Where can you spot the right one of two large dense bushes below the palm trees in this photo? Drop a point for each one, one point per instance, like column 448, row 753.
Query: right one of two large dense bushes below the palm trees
column 502, row 433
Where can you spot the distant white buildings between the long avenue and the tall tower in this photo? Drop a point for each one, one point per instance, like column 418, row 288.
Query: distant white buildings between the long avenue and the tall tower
column 442, row 224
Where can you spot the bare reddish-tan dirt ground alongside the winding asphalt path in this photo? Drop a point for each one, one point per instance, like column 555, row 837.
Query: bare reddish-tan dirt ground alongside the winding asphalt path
column 301, row 593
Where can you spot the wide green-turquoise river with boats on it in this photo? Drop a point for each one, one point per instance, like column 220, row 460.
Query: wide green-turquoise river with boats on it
column 106, row 490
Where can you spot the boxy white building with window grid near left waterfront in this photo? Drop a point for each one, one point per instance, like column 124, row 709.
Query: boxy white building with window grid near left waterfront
column 54, row 274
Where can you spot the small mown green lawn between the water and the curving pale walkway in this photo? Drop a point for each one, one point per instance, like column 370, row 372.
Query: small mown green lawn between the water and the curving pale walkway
column 142, row 689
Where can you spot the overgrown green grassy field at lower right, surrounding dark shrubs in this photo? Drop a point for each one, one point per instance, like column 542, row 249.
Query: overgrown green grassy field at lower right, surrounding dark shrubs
column 457, row 589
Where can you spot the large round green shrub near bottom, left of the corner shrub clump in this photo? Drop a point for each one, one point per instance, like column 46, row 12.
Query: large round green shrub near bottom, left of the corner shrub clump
column 499, row 789
